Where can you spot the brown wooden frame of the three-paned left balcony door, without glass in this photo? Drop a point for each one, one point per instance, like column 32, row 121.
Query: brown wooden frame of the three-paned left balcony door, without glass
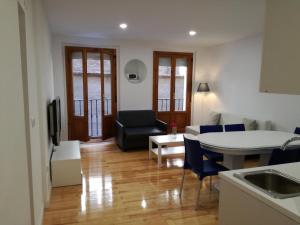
column 69, row 83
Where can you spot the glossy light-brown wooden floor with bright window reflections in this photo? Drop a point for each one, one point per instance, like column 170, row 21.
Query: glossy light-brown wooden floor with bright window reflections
column 126, row 188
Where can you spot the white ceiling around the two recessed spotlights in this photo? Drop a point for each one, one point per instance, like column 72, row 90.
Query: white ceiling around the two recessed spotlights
column 216, row 21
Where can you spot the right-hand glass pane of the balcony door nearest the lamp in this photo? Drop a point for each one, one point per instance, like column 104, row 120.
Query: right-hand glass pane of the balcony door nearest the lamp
column 180, row 85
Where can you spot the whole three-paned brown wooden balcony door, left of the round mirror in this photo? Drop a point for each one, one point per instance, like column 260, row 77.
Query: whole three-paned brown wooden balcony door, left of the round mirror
column 91, row 92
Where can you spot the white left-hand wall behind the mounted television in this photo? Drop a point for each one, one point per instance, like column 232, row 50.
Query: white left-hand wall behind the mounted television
column 23, row 170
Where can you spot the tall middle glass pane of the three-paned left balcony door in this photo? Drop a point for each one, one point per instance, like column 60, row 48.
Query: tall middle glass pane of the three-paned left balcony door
column 94, row 93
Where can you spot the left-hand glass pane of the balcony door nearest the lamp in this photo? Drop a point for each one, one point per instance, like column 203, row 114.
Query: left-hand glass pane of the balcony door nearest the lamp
column 164, row 84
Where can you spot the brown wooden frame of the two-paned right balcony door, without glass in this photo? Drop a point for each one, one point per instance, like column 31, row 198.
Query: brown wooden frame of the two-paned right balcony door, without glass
column 173, row 56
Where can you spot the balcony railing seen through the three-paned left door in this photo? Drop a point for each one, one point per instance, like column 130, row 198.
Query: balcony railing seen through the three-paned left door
column 94, row 114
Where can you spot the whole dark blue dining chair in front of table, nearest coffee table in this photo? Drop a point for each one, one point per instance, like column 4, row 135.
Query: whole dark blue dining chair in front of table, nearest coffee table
column 193, row 161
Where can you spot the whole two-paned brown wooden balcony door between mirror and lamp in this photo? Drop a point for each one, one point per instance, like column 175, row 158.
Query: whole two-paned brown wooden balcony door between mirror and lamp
column 172, row 87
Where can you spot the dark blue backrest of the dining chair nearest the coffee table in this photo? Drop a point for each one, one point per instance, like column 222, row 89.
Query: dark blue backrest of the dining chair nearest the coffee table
column 193, row 155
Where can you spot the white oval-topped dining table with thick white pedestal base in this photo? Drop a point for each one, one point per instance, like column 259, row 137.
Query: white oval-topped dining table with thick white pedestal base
column 235, row 145
